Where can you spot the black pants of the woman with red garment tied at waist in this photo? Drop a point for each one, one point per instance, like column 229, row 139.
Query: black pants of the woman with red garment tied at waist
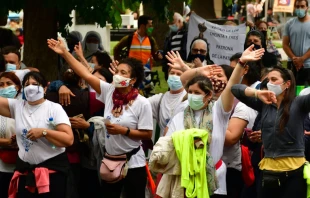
column 58, row 183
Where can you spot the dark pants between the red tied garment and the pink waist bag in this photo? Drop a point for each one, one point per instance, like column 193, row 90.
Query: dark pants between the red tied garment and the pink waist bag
column 89, row 184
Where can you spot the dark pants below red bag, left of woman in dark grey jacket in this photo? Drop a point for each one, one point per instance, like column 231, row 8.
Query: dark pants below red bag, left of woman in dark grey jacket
column 234, row 183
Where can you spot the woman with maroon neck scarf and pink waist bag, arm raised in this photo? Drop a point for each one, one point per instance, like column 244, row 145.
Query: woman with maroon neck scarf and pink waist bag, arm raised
column 128, row 119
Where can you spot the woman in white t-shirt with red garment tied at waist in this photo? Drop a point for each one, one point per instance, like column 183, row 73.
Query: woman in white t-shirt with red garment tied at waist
column 42, row 133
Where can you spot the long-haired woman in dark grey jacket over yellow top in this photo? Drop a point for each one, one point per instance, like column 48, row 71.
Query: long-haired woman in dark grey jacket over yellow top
column 282, row 133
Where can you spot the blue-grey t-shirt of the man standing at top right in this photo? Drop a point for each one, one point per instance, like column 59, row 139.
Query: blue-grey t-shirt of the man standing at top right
column 299, row 34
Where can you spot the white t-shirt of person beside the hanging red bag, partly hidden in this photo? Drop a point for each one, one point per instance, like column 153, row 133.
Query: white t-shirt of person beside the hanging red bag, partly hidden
column 232, row 154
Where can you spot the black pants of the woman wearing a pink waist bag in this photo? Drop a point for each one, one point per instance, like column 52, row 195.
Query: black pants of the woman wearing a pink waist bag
column 134, row 185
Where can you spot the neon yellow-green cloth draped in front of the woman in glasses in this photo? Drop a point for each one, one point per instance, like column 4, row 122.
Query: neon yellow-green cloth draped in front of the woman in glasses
column 193, row 161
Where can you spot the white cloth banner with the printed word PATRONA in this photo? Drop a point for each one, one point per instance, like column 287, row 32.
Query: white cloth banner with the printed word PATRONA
column 224, row 41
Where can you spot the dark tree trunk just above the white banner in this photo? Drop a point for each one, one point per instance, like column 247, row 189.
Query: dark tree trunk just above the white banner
column 204, row 8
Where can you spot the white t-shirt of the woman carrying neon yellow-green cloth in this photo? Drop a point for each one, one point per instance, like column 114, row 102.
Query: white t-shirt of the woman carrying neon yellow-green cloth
column 220, row 122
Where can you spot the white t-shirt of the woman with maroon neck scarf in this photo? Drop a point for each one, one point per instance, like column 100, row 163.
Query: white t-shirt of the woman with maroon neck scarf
column 138, row 116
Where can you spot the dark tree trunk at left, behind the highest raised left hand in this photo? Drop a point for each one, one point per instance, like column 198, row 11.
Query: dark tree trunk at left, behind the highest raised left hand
column 40, row 24
